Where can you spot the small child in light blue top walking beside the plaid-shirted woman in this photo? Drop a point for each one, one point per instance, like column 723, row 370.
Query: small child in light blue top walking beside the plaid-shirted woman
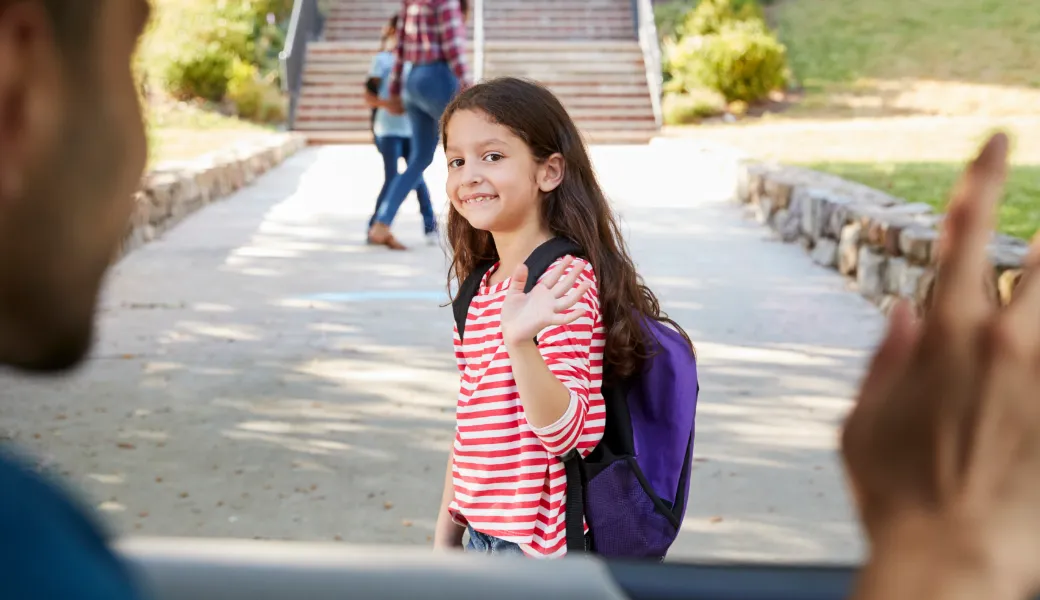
column 394, row 134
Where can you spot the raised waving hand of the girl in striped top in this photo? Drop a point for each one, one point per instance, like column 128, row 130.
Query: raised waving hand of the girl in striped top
column 550, row 303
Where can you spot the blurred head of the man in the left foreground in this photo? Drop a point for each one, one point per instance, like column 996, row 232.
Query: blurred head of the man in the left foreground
column 72, row 151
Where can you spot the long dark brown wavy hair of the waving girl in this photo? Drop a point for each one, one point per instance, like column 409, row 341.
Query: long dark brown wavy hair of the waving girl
column 577, row 210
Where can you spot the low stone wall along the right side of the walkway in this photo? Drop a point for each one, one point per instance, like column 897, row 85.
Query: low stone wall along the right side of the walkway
column 887, row 246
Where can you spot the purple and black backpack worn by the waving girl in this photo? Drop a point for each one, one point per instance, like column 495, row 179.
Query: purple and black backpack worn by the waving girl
column 633, row 488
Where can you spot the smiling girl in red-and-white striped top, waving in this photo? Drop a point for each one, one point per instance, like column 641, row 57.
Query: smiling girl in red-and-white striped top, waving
column 518, row 176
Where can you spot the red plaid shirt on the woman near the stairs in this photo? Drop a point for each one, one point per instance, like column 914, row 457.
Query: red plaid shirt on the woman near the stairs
column 431, row 31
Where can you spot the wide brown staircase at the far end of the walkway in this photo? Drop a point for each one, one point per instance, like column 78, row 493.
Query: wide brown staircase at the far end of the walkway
column 586, row 51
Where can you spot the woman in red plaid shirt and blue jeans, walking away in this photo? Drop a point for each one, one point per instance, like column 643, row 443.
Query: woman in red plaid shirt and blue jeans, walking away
column 433, row 40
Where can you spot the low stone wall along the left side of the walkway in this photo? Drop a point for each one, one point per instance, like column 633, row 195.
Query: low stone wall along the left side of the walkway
column 172, row 192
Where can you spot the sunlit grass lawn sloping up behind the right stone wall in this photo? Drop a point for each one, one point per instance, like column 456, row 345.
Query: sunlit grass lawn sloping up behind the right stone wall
column 899, row 95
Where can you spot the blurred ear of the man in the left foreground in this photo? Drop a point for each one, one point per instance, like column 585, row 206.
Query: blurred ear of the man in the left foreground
column 32, row 93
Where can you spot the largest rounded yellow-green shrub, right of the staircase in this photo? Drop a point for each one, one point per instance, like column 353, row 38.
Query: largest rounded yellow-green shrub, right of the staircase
column 743, row 62
